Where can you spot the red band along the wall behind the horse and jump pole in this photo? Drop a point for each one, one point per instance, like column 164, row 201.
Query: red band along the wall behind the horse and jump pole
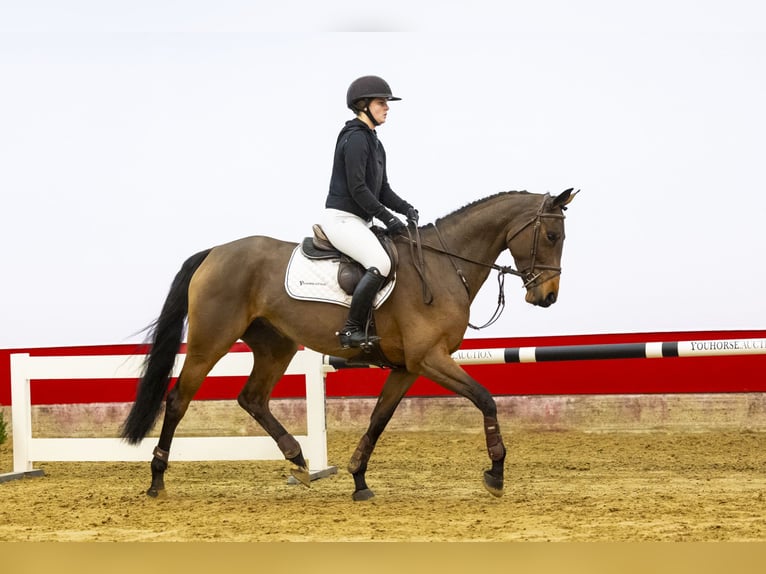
column 730, row 374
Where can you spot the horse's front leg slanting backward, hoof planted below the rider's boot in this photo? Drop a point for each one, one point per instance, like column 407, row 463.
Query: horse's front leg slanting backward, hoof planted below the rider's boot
column 396, row 385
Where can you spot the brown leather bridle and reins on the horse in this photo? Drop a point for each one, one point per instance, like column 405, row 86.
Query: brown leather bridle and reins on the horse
column 529, row 275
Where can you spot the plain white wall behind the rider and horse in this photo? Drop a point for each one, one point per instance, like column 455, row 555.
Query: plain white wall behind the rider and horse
column 133, row 134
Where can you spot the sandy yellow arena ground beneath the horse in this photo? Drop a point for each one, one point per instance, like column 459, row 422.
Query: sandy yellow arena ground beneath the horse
column 560, row 486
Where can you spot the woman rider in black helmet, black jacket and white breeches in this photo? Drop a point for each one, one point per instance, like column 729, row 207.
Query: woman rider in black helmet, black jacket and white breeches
column 359, row 191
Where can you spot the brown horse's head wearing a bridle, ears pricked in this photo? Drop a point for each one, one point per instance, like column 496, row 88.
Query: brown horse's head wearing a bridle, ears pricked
column 536, row 248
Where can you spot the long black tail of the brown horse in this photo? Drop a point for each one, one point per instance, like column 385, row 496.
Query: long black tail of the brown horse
column 165, row 335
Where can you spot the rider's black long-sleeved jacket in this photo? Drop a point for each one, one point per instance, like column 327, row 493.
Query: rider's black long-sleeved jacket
column 359, row 183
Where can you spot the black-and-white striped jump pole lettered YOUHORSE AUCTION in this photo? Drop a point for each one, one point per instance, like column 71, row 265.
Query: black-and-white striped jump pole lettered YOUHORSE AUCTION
column 656, row 350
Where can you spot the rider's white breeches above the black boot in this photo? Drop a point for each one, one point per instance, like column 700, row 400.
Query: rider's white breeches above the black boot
column 351, row 235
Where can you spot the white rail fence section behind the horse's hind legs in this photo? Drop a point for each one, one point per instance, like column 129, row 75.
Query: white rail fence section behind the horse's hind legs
column 27, row 449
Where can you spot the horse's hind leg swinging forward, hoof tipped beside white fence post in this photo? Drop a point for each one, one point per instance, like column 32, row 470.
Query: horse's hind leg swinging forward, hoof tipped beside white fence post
column 272, row 353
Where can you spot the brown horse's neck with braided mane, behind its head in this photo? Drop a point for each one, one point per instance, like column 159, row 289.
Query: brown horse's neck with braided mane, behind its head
column 479, row 234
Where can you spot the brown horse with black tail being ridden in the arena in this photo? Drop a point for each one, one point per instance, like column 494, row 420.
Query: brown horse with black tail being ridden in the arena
column 236, row 291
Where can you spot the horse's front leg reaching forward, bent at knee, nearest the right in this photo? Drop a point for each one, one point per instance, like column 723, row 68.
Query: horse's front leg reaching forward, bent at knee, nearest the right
column 443, row 370
